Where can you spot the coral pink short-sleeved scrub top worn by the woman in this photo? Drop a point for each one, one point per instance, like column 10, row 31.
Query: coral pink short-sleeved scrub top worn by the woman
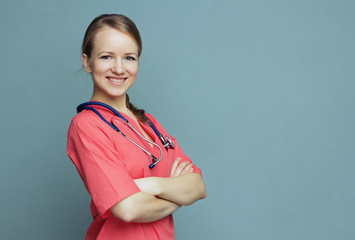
column 107, row 163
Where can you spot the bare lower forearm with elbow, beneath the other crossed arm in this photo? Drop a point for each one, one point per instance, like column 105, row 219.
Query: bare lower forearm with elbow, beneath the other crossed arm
column 143, row 207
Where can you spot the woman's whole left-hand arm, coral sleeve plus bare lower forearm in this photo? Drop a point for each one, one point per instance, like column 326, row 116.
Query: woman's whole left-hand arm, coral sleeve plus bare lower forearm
column 95, row 157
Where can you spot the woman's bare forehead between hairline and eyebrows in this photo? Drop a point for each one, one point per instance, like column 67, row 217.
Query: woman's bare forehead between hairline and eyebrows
column 110, row 39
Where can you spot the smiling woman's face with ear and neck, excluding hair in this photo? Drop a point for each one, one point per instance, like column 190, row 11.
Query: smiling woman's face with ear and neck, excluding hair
column 113, row 64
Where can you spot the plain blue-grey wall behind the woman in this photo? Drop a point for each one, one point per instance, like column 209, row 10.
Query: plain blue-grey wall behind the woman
column 260, row 94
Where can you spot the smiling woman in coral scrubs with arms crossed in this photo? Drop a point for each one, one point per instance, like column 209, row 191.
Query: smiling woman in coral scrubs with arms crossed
column 133, row 197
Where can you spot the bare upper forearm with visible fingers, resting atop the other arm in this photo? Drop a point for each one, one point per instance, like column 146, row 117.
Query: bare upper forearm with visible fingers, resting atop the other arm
column 183, row 187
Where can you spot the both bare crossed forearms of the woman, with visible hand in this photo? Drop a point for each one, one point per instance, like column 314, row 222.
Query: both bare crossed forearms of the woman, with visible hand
column 159, row 197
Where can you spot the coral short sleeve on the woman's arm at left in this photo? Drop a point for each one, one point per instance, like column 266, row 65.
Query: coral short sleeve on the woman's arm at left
column 97, row 161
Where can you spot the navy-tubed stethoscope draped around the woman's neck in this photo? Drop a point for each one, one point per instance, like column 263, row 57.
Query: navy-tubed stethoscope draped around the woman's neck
column 167, row 143
